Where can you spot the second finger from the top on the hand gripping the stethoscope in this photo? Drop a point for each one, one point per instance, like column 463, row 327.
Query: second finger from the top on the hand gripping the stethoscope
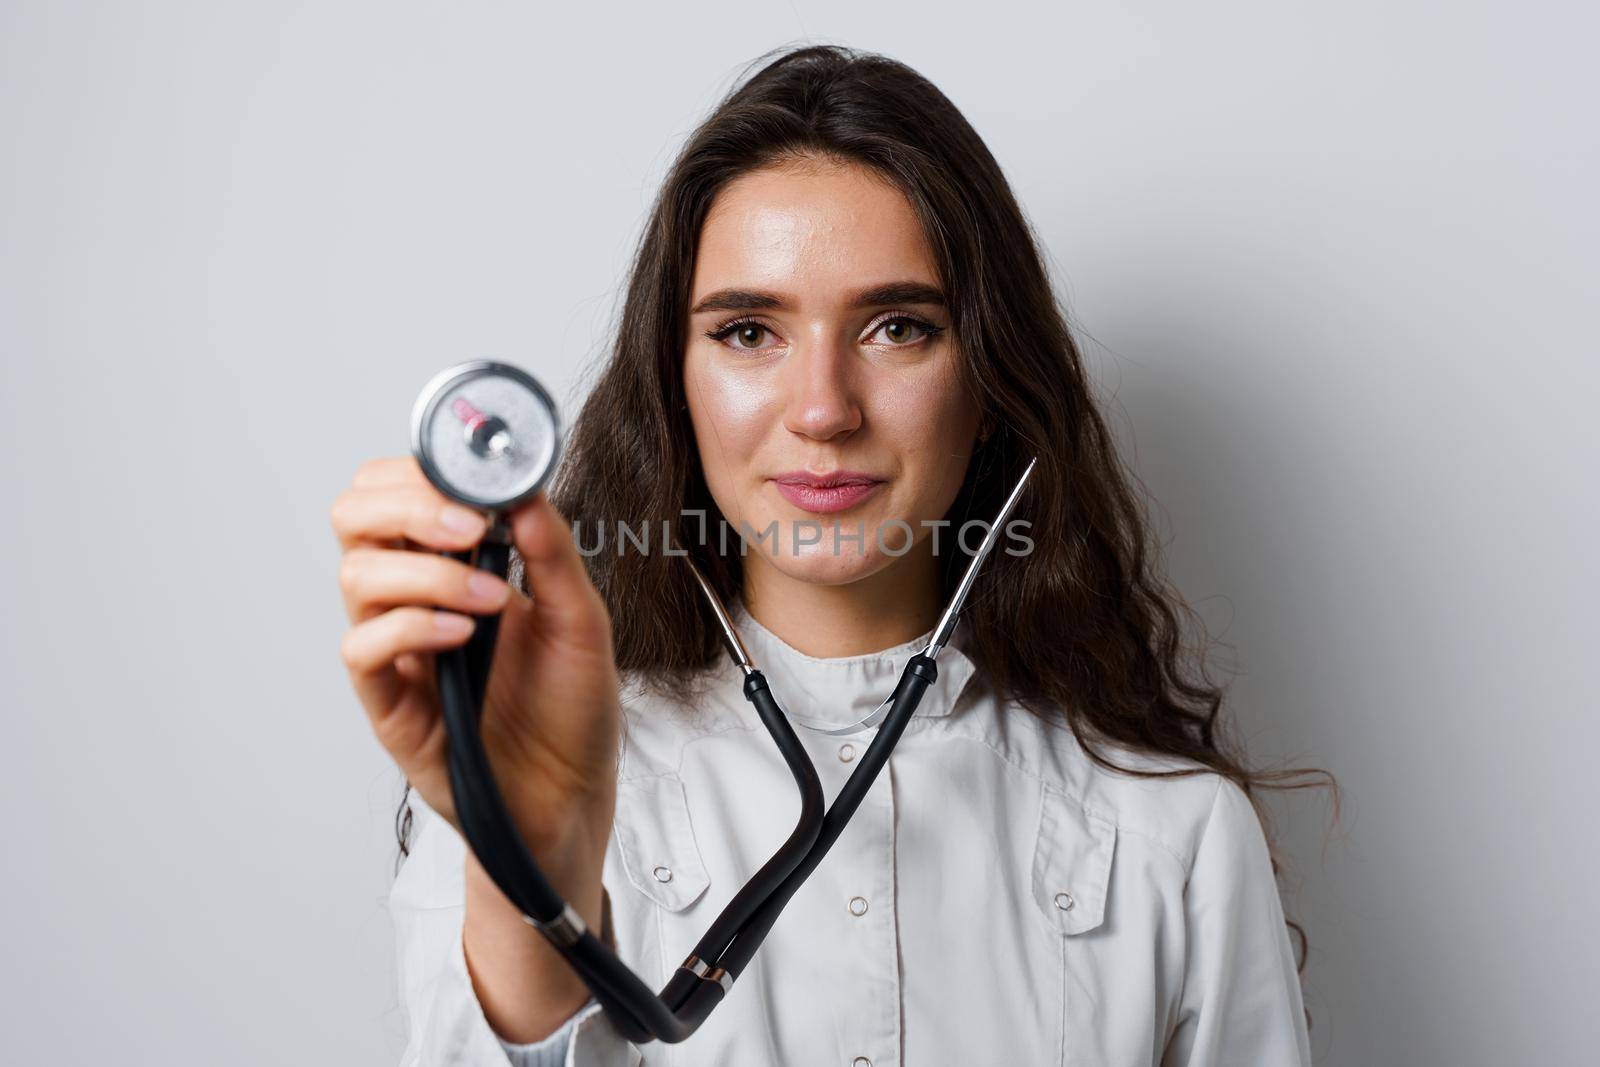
column 378, row 580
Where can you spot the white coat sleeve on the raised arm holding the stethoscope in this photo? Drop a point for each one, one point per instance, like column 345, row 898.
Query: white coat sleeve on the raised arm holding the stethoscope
column 446, row 1021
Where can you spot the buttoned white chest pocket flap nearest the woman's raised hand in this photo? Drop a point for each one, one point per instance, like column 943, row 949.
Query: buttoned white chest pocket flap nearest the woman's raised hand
column 657, row 842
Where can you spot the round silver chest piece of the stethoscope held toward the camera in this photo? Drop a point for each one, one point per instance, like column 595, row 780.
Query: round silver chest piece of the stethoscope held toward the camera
column 486, row 434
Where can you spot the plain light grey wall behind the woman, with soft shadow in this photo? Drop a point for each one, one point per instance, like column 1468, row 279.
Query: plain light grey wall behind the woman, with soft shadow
column 1335, row 265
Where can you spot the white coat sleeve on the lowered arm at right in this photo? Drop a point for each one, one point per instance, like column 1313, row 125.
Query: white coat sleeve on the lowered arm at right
column 1241, row 1002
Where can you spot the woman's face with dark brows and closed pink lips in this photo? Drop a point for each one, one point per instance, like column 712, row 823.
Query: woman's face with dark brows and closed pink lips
column 818, row 353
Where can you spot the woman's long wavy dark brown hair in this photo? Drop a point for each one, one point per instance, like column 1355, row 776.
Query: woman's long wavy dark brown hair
column 1106, row 649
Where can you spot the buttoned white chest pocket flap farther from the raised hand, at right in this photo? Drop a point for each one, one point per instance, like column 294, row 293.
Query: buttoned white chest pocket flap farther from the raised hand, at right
column 1073, row 863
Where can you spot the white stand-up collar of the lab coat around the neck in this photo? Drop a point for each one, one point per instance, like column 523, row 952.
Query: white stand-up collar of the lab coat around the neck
column 847, row 689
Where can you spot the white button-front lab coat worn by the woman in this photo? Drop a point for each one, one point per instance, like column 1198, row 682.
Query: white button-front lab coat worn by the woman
column 996, row 900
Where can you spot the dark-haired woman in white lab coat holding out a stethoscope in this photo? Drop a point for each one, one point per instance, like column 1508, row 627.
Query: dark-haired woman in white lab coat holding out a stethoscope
column 838, row 316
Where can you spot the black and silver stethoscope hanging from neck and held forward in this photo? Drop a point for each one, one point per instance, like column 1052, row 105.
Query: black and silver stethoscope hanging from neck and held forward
column 487, row 436
